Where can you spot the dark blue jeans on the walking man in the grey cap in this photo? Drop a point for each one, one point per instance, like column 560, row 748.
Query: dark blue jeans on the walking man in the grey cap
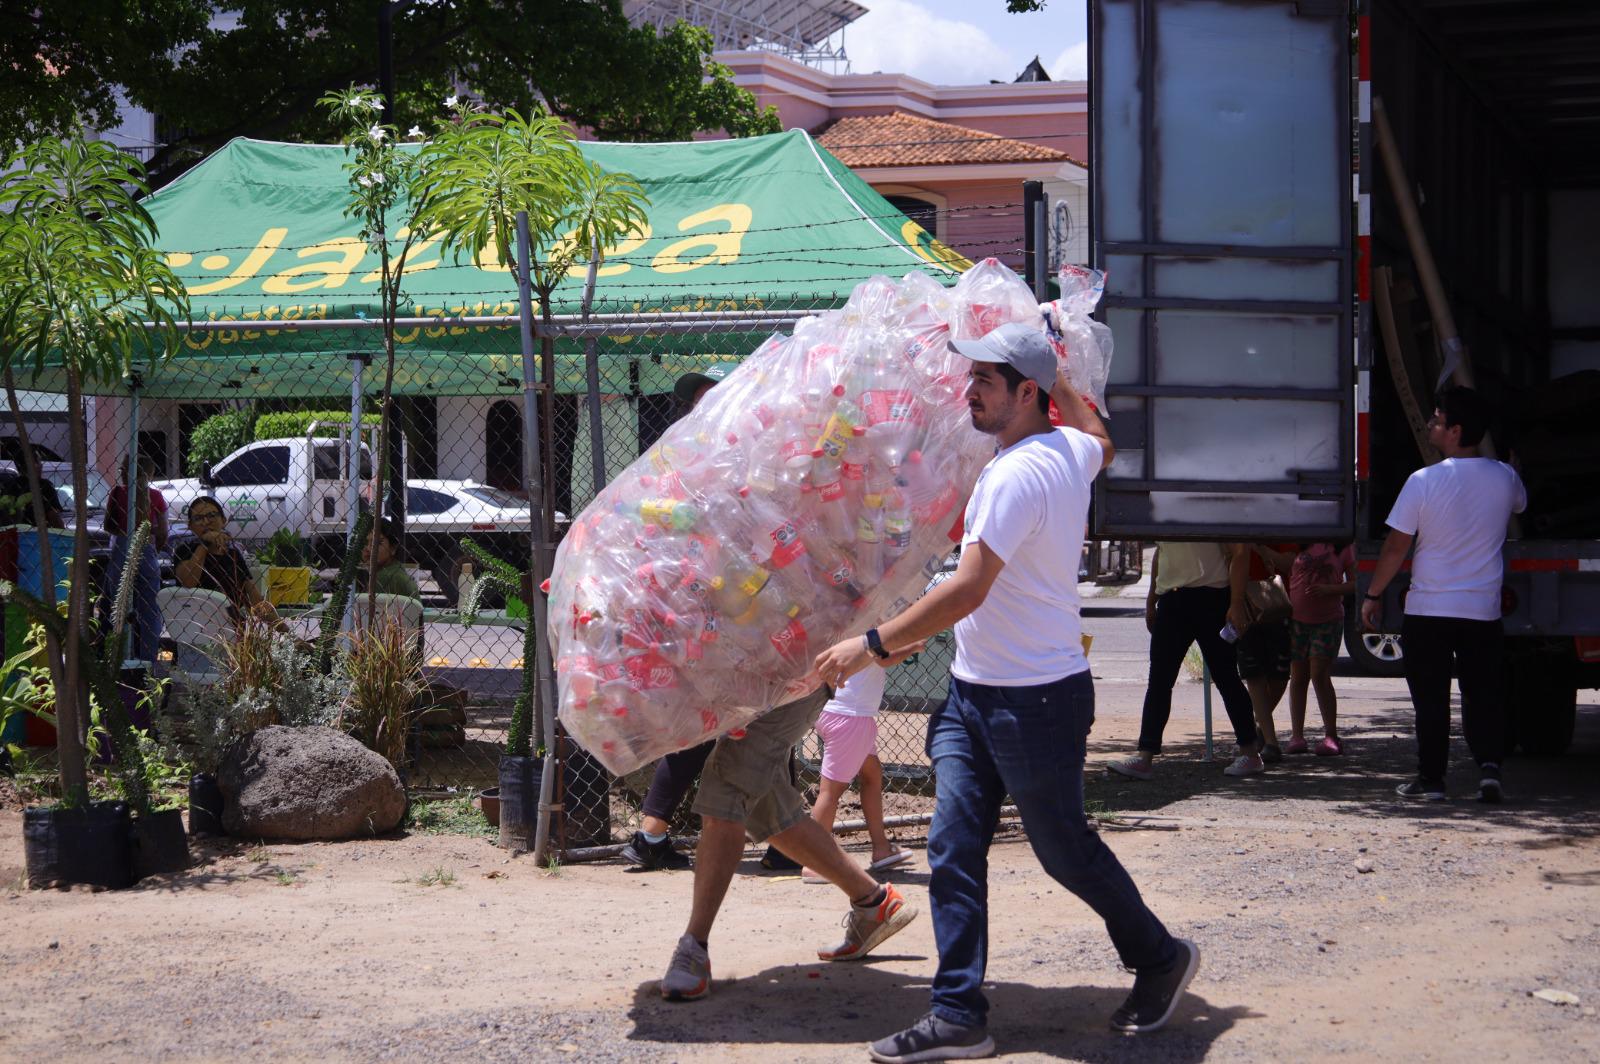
column 1030, row 743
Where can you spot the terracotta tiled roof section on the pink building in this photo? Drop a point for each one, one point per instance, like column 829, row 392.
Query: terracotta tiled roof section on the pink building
column 903, row 140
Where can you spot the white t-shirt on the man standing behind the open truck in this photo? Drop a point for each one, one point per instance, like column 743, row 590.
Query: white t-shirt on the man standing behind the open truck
column 1458, row 513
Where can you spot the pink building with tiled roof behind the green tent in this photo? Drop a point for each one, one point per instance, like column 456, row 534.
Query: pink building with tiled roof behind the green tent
column 954, row 158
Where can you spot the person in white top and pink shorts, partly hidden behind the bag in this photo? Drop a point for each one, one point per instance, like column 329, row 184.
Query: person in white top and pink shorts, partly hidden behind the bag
column 849, row 729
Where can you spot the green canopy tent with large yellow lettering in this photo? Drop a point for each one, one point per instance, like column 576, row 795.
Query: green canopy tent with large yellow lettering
column 260, row 236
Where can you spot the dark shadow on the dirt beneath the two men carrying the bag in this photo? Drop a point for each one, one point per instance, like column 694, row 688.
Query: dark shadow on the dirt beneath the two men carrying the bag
column 852, row 1006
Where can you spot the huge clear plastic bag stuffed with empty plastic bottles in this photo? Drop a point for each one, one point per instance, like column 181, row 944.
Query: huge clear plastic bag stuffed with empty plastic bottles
column 807, row 497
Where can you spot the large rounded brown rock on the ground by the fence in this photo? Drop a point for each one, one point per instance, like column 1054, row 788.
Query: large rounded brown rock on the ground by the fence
column 308, row 783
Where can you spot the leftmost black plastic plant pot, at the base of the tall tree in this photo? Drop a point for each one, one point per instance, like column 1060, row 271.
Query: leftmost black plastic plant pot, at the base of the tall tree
column 79, row 847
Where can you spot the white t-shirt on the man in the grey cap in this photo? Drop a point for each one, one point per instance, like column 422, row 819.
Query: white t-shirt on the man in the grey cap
column 1030, row 510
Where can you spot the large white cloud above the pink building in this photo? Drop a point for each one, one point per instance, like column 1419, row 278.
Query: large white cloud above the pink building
column 905, row 38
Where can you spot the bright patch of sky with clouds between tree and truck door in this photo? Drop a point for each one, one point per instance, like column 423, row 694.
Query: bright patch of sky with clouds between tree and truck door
column 967, row 42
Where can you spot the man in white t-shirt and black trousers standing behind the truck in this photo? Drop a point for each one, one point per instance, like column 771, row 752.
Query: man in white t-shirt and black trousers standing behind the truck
column 1455, row 513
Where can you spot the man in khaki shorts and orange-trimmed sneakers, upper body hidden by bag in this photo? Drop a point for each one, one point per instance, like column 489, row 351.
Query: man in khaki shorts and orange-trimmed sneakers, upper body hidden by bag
column 746, row 791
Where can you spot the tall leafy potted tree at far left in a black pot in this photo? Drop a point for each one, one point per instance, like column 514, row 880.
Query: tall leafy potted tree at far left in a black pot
column 82, row 278
